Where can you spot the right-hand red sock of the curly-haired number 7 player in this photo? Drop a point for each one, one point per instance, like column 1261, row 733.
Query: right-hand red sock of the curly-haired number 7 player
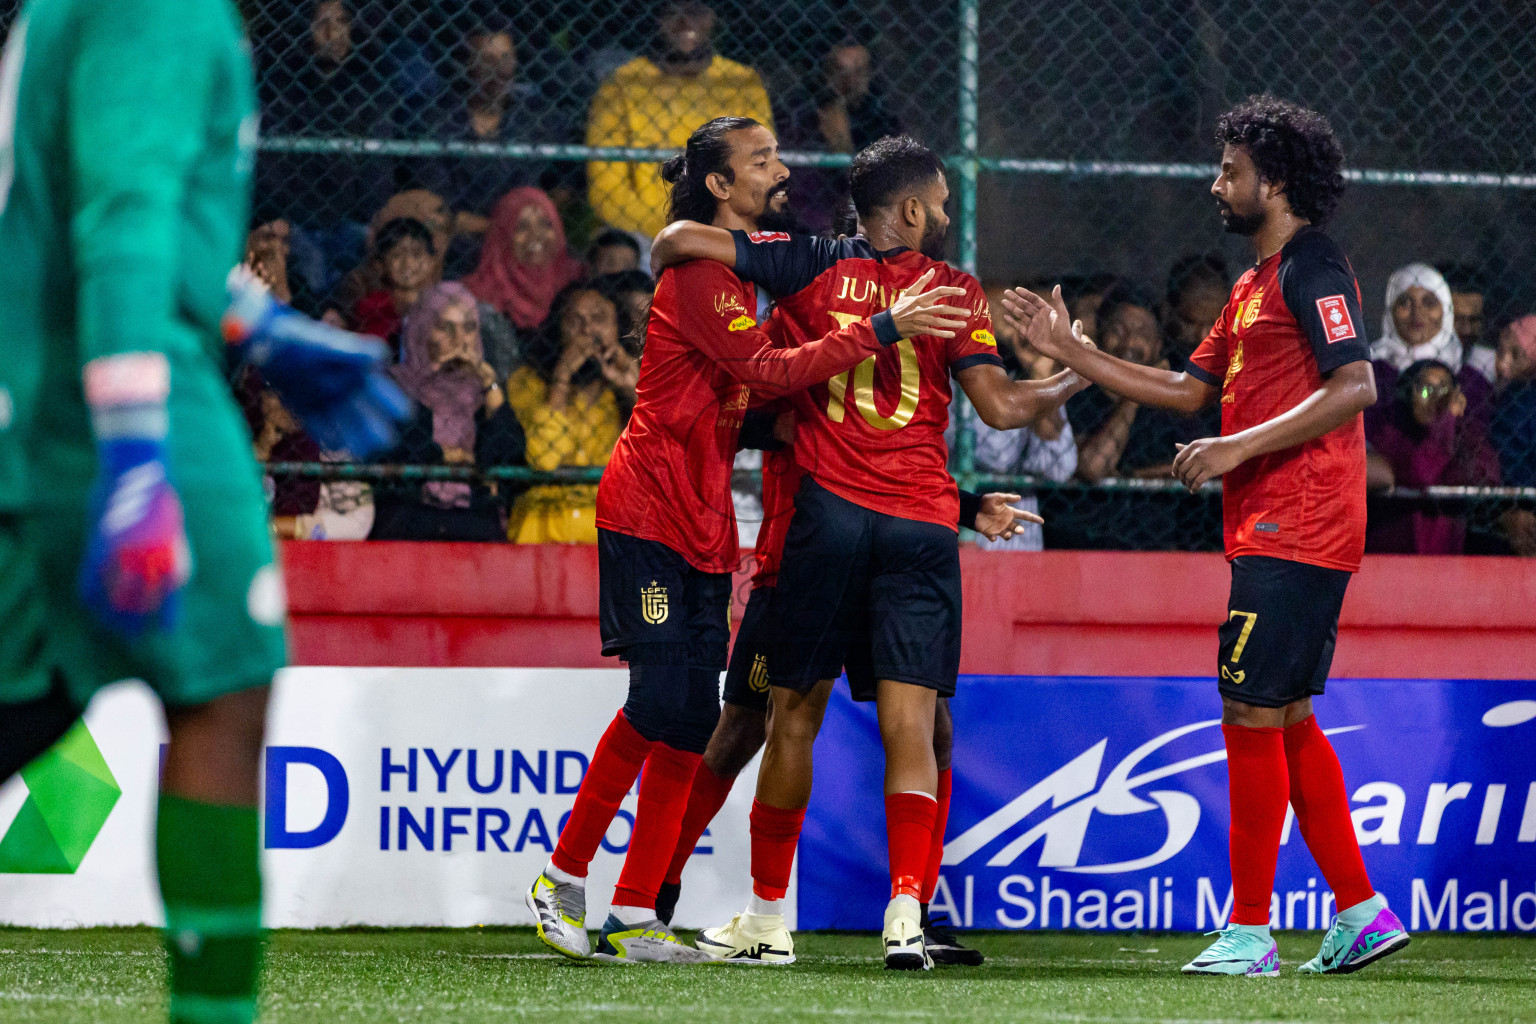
column 1317, row 793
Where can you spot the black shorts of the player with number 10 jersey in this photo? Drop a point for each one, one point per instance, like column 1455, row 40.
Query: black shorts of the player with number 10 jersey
column 872, row 593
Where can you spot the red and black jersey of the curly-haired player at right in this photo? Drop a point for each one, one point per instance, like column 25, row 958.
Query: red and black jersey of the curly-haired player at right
column 1291, row 322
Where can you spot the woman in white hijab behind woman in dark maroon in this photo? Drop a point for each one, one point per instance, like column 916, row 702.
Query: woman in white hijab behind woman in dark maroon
column 1420, row 323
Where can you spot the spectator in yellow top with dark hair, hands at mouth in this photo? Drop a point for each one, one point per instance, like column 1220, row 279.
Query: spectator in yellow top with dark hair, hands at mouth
column 572, row 400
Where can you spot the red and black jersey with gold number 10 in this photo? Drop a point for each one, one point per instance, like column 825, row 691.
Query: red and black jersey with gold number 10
column 876, row 434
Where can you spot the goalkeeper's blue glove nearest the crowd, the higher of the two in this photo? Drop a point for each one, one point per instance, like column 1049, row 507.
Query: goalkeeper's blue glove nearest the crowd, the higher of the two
column 333, row 380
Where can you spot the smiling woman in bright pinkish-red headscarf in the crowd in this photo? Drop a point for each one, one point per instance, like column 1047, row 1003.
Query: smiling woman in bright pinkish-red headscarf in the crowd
column 525, row 262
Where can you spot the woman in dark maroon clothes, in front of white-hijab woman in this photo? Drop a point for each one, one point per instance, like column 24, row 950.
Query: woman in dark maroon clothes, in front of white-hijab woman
column 1429, row 441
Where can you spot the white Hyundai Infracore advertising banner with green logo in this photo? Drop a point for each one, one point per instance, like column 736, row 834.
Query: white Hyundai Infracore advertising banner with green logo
column 394, row 798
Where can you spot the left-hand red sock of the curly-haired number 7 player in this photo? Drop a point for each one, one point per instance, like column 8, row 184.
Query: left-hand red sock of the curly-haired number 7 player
column 1259, row 790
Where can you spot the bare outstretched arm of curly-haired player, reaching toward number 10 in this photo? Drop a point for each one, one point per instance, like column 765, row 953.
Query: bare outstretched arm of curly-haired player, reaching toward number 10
column 1048, row 328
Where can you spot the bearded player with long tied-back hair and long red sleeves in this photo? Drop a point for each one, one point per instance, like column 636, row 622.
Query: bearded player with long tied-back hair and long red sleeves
column 667, row 533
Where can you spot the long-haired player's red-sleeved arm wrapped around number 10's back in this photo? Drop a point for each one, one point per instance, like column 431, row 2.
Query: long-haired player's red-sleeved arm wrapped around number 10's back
column 727, row 332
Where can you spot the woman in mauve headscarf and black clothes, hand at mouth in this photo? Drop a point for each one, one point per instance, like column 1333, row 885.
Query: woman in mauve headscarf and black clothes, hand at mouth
column 462, row 420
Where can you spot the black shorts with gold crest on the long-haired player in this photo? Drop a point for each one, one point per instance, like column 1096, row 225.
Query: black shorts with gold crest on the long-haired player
column 647, row 593
